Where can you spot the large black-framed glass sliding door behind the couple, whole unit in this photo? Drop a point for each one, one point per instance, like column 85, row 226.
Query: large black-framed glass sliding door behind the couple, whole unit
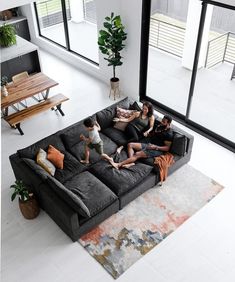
column 191, row 64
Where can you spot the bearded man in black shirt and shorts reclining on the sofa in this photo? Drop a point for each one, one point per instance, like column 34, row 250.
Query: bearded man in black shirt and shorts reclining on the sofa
column 159, row 142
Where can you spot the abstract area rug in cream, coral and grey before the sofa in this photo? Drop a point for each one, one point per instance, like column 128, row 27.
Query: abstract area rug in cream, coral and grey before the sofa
column 128, row 235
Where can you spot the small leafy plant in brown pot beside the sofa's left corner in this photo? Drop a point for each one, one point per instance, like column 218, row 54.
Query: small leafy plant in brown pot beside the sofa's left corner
column 27, row 203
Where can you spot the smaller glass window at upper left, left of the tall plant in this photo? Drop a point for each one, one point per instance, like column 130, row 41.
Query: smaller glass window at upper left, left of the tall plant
column 71, row 24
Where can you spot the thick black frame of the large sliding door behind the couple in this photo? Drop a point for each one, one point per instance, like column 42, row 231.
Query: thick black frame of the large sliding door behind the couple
column 183, row 119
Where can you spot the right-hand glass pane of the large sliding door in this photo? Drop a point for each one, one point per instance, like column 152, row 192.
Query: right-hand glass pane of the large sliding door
column 213, row 104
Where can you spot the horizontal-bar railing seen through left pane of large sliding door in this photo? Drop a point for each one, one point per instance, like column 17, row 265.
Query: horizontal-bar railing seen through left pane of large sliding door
column 167, row 37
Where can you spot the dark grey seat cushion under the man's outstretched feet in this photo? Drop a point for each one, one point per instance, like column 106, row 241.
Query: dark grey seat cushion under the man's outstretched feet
column 120, row 181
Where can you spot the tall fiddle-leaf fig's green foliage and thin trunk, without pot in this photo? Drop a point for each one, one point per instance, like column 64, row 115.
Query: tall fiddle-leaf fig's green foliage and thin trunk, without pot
column 111, row 39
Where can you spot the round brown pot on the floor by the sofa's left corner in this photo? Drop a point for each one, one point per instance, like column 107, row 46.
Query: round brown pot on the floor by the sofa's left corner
column 30, row 208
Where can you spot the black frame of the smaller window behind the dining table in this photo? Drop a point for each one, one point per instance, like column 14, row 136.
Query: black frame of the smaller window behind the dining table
column 66, row 33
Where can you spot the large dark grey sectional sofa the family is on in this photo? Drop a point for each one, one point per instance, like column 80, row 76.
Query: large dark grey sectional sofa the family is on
column 81, row 196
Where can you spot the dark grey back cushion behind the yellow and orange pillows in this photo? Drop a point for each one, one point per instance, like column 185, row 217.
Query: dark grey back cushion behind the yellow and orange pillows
column 32, row 150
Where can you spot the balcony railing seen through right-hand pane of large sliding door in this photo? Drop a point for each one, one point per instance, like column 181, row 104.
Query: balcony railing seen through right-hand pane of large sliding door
column 221, row 49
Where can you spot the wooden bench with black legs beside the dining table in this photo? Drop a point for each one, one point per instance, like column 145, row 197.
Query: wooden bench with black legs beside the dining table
column 55, row 101
